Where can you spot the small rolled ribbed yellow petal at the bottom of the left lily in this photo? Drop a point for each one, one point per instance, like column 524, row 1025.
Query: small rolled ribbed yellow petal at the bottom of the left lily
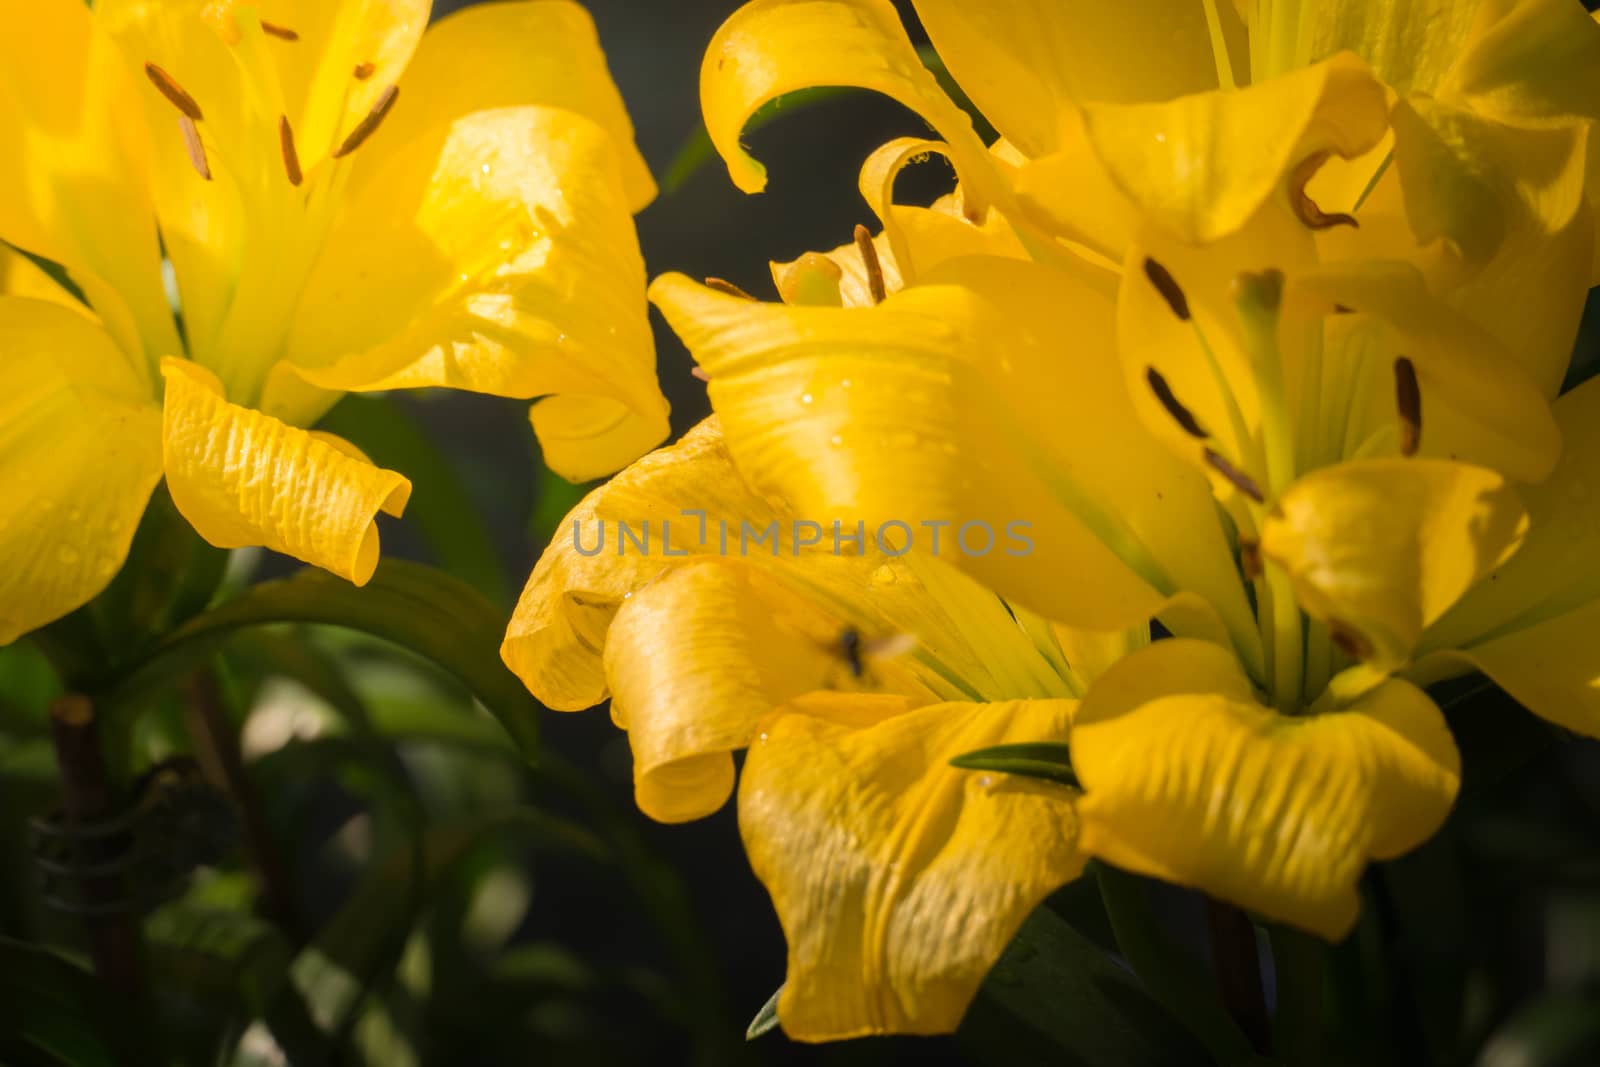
column 247, row 479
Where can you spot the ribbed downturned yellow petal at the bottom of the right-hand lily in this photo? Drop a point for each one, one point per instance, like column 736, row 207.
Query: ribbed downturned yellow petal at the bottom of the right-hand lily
column 1190, row 780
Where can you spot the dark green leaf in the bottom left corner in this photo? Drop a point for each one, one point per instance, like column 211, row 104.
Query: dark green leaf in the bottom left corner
column 54, row 1013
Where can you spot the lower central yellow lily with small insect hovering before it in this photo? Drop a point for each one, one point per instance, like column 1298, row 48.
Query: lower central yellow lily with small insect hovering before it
column 705, row 650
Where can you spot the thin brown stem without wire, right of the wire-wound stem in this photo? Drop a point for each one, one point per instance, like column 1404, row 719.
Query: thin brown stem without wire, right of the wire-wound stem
column 217, row 745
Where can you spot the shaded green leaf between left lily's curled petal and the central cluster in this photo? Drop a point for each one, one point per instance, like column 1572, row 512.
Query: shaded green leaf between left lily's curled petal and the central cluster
column 441, row 508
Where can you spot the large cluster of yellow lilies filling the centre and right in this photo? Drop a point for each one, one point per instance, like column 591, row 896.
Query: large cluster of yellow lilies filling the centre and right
column 1260, row 314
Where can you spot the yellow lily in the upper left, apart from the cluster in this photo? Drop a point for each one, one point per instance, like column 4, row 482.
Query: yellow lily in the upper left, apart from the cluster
column 340, row 202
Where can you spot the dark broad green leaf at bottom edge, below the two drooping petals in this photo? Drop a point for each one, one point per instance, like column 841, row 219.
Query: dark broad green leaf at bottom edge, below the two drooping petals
column 1055, row 997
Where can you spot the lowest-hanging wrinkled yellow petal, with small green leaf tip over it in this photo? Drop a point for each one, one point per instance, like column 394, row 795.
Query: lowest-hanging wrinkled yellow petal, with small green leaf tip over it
column 897, row 877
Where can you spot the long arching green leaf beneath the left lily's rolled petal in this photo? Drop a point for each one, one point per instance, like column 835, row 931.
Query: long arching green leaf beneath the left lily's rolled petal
column 431, row 613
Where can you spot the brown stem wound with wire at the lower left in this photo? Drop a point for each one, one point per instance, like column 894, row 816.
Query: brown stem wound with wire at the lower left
column 116, row 940
